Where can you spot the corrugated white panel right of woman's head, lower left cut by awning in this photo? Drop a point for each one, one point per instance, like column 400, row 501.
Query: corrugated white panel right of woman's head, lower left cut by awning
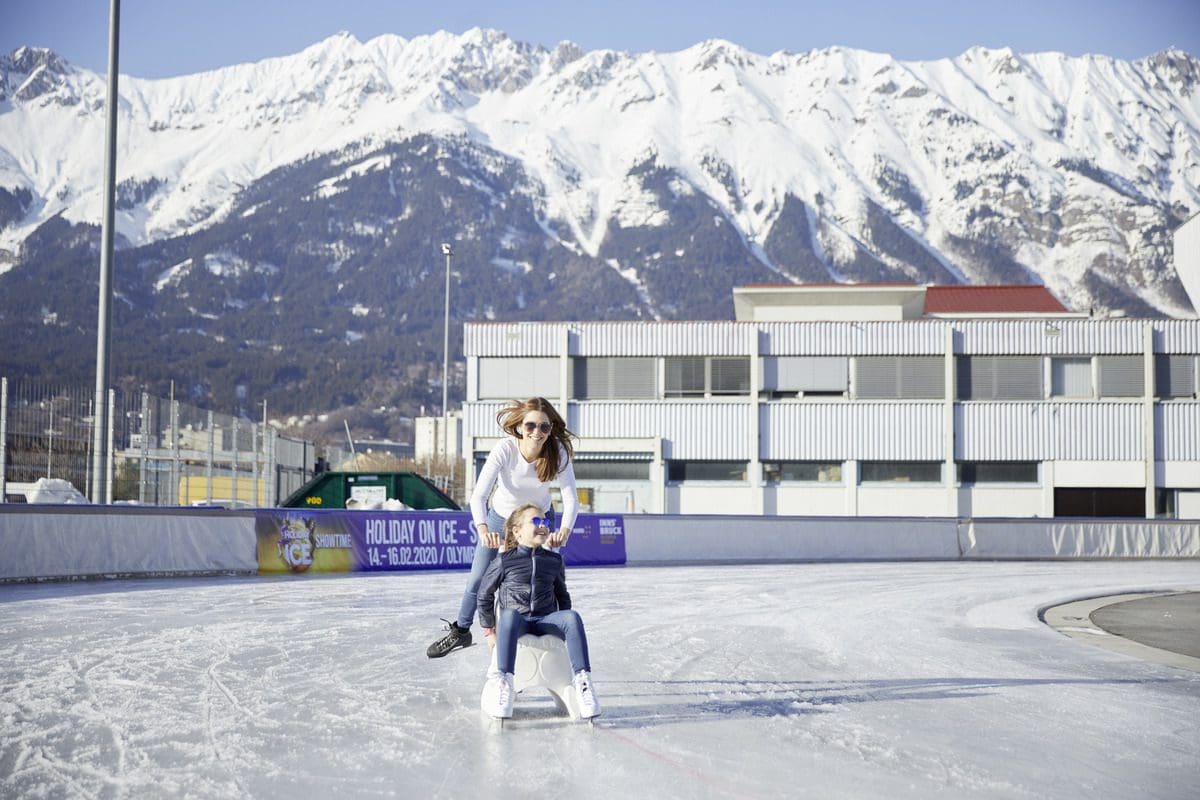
column 693, row 431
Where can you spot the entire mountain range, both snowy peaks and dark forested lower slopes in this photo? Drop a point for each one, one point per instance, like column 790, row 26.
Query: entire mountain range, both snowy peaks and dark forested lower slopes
column 279, row 222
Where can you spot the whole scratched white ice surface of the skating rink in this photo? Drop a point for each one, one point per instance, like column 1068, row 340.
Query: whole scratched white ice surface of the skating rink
column 823, row 681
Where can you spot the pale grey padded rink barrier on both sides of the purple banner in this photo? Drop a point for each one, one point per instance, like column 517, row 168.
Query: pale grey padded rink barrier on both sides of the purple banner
column 67, row 543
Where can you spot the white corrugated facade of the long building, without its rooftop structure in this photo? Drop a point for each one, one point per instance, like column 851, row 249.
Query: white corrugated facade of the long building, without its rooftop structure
column 1039, row 417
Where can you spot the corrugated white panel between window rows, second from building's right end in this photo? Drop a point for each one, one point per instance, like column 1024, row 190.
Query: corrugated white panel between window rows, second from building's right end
column 1048, row 431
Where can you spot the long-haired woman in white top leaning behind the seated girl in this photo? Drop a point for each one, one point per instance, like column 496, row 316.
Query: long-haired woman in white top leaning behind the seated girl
column 523, row 465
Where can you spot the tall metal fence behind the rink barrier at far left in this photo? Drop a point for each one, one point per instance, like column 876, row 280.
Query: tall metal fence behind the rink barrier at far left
column 163, row 452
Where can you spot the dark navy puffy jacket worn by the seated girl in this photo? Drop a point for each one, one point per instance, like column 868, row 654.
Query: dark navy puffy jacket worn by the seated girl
column 531, row 581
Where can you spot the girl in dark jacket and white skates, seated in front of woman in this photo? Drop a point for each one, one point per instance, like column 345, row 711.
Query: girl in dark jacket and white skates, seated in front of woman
column 532, row 586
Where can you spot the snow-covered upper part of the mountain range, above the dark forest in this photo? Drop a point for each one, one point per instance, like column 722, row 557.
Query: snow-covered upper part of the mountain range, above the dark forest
column 1057, row 166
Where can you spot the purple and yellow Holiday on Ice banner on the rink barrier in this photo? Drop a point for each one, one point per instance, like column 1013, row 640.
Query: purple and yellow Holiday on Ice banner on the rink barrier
column 301, row 540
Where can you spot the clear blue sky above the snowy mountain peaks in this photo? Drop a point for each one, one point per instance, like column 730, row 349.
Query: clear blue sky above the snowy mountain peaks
column 167, row 38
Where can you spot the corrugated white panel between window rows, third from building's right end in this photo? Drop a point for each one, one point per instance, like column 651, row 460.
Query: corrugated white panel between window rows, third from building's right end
column 861, row 431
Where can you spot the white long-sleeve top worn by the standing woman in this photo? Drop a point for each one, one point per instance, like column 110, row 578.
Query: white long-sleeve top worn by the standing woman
column 517, row 483
